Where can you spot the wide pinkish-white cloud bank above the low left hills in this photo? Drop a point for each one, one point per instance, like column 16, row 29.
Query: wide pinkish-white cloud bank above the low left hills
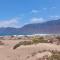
column 10, row 23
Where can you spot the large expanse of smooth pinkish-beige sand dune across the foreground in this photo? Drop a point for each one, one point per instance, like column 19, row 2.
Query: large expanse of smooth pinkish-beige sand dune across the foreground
column 29, row 52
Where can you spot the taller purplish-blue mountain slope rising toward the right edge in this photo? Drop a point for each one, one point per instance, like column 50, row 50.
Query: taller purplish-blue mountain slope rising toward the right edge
column 47, row 27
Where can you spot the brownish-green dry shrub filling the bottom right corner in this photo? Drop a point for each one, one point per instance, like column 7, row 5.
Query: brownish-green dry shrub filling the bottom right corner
column 55, row 56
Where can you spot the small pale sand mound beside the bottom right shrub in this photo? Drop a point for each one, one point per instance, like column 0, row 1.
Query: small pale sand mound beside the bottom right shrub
column 40, row 55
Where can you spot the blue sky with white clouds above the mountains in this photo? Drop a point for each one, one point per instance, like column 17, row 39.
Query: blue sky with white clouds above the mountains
column 17, row 13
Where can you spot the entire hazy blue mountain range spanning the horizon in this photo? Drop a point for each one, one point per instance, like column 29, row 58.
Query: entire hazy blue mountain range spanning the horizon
column 49, row 27
